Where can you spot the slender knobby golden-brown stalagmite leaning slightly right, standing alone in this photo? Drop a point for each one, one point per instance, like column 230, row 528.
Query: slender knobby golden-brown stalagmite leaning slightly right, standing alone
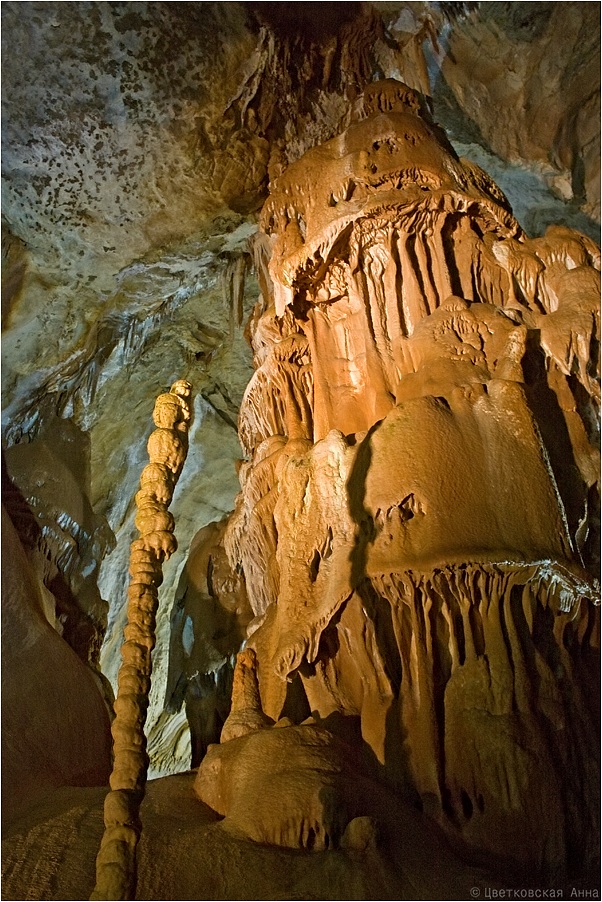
column 167, row 448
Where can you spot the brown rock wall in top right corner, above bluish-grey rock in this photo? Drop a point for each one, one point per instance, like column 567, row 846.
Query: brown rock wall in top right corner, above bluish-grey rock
column 546, row 108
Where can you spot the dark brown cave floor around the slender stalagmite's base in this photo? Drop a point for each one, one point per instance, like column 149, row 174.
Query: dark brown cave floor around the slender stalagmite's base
column 187, row 852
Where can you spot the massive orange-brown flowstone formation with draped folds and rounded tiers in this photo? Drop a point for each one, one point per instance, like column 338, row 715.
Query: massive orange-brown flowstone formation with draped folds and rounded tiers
column 417, row 527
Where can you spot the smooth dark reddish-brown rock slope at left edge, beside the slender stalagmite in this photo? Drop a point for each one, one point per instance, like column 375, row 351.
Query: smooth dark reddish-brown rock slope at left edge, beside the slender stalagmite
column 55, row 723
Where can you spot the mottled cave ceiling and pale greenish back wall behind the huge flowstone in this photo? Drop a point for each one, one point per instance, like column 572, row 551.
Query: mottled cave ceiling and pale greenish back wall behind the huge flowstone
column 138, row 143
